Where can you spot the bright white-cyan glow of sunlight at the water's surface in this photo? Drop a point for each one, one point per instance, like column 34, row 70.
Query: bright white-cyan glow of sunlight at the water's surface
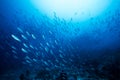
column 77, row 10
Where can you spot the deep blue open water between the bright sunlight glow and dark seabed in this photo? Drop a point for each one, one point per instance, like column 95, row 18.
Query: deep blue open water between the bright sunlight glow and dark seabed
column 99, row 40
